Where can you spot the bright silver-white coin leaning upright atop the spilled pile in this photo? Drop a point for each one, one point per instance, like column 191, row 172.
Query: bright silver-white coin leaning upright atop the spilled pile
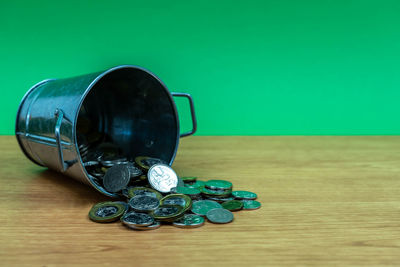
column 162, row 178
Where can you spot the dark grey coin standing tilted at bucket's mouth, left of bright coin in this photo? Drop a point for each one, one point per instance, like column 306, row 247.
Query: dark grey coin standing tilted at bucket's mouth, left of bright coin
column 116, row 178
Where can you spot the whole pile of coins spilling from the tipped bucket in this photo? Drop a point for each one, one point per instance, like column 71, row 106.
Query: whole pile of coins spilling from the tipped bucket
column 155, row 195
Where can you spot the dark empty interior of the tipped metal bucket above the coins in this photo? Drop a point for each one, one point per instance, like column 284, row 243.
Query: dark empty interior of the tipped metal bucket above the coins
column 131, row 109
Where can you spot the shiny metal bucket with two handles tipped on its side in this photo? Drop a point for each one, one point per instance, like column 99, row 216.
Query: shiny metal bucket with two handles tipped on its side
column 128, row 104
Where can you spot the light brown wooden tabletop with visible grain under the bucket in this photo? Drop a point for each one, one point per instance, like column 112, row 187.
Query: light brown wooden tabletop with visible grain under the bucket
column 326, row 201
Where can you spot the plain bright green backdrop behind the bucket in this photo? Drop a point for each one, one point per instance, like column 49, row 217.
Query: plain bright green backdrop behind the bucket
column 253, row 67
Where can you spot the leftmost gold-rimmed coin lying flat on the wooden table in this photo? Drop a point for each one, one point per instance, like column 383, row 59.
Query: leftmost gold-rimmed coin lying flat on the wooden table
column 106, row 211
